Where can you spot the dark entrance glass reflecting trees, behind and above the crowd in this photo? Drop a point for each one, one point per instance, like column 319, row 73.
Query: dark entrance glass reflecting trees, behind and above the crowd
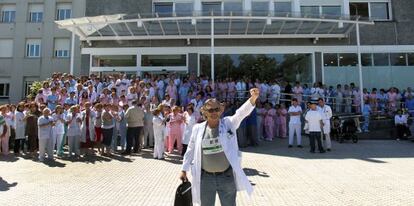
column 292, row 67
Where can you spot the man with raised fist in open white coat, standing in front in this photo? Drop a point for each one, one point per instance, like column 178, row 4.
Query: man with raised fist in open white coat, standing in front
column 213, row 155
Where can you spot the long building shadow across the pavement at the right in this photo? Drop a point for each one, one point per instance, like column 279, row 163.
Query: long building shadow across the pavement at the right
column 365, row 150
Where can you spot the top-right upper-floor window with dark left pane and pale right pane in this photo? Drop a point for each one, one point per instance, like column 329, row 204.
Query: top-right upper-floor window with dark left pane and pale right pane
column 374, row 10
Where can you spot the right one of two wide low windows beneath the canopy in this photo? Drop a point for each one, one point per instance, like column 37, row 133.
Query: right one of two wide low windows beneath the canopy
column 164, row 60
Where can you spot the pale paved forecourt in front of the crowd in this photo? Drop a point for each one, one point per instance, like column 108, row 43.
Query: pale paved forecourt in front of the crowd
column 371, row 172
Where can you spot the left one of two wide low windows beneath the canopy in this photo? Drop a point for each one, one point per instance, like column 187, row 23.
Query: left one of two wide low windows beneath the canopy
column 114, row 60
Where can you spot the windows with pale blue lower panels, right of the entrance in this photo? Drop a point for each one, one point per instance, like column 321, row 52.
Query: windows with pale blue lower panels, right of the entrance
column 381, row 70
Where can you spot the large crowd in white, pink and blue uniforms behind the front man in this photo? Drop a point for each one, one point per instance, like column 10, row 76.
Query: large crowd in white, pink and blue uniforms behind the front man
column 120, row 114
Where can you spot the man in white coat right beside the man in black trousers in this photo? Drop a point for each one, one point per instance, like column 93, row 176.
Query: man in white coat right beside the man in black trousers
column 326, row 113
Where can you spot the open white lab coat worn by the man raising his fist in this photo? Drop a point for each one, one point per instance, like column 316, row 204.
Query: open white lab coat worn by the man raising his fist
column 192, row 158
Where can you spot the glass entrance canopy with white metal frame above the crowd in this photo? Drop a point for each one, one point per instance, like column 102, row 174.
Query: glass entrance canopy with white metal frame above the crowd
column 198, row 26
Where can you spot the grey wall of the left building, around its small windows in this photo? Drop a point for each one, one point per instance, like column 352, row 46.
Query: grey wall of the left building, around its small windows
column 20, row 68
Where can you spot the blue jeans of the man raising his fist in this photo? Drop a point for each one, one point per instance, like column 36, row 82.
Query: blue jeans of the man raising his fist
column 222, row 184
